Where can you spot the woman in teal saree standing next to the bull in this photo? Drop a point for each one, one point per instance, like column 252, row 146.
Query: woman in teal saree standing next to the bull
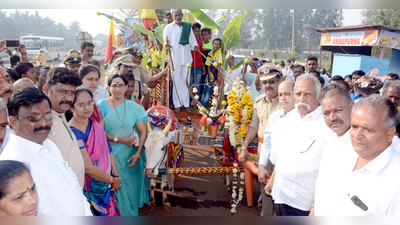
column 121, row 118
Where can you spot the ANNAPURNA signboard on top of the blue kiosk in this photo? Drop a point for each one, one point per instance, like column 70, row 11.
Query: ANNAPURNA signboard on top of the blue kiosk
column 350, row 38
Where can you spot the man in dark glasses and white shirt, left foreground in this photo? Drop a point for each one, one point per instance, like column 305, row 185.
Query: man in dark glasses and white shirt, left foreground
column 58, row 189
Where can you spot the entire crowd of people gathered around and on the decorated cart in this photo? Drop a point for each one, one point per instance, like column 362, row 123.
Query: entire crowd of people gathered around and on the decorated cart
column 71, row 147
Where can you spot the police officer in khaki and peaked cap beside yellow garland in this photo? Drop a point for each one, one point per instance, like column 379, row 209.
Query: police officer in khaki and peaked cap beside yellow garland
column 264, row 106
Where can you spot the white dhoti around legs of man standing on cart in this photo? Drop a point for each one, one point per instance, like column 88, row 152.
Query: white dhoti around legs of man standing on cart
column 180, row 92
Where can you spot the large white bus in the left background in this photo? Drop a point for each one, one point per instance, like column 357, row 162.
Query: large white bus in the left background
column 54, row 46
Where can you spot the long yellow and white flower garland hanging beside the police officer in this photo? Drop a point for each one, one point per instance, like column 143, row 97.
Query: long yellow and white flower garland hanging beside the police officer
column 239, row 112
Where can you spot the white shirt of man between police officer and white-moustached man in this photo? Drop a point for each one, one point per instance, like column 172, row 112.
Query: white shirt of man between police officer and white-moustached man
column 266, row 146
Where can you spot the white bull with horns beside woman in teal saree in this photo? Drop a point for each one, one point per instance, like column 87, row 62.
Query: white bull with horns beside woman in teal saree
column 156, row 156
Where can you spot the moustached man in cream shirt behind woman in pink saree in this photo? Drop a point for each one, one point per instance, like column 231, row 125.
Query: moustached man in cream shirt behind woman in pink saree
column 60, row 87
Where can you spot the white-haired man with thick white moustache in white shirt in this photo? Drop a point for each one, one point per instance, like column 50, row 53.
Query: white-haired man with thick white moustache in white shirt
column 298, row 141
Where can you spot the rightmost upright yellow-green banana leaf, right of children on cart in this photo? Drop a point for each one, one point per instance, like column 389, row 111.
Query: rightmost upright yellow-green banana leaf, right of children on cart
column 231, row 34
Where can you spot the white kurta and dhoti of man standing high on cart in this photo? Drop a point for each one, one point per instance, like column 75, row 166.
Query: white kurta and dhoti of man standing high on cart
column 181, row 56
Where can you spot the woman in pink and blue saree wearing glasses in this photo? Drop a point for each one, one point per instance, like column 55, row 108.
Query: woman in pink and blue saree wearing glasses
column 102, row 177
